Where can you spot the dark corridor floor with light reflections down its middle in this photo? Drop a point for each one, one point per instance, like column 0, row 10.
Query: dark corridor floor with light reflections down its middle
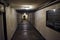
column 25, row 31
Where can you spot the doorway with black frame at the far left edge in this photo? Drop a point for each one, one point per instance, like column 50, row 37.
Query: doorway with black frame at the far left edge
column 3, row 30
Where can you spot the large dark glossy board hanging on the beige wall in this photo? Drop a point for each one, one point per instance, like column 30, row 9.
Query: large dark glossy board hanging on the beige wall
column 53, row 19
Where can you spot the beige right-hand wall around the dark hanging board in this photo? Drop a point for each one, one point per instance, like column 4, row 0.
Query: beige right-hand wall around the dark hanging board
column 40, row 23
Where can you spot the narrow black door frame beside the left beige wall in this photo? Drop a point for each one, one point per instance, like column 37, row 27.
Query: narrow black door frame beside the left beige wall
column 4, row 21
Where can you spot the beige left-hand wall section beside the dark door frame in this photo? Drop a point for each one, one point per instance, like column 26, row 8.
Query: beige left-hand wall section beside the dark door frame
column 11, row 22
